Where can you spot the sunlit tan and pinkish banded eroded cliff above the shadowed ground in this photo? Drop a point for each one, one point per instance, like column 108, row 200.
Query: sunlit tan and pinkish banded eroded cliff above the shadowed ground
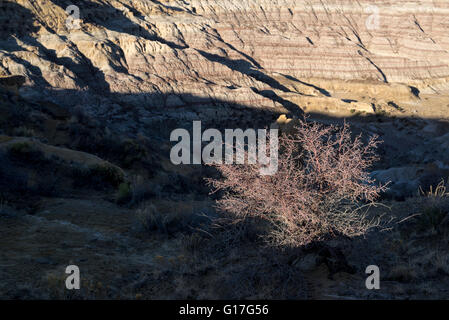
column 199, row 58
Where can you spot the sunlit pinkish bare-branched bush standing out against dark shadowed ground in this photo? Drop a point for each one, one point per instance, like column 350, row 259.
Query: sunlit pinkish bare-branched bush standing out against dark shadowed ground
column 319, row 191
